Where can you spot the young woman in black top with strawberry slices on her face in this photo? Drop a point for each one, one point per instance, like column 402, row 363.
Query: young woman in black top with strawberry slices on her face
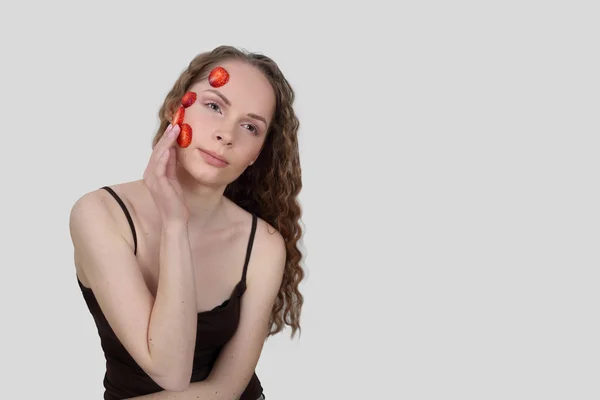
column 187, row 271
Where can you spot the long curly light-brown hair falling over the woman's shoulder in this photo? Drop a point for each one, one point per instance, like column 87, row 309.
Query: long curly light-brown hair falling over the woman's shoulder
column 270, row 187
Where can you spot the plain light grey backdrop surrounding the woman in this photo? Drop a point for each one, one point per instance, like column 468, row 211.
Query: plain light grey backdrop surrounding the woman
column 450, row 164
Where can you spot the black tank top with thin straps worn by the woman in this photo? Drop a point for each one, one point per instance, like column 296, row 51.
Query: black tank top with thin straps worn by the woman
column 124, row 378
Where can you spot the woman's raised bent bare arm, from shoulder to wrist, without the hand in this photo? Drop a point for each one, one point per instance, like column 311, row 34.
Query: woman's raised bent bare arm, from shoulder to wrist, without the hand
column 158, row 333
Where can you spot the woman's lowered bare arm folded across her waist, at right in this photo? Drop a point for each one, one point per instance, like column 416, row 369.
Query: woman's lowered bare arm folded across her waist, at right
column 238, row 359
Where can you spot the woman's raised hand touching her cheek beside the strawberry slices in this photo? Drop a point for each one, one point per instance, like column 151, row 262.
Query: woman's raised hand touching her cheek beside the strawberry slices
column 161, row 179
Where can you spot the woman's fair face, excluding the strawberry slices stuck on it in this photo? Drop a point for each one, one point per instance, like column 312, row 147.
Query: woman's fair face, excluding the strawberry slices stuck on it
column 230, row 121
